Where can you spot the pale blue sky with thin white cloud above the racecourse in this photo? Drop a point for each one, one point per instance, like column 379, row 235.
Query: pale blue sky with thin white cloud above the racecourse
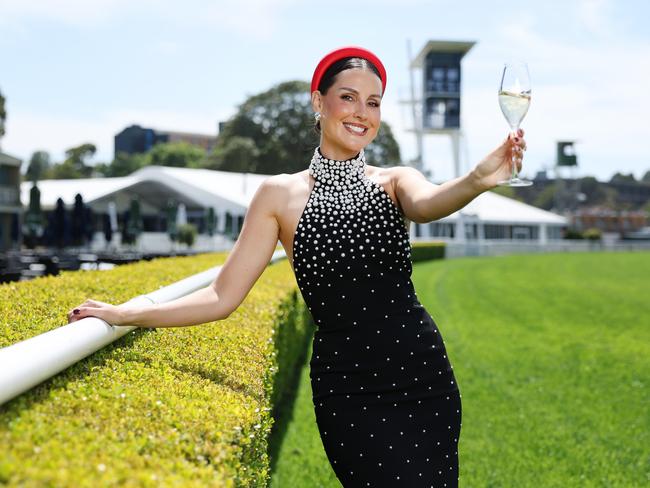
column 75, row 71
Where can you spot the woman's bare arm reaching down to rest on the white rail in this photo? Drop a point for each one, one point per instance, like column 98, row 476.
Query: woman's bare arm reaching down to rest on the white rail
column 245, row 263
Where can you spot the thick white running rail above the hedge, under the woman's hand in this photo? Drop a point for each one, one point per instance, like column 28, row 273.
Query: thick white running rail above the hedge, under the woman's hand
column 27, row 363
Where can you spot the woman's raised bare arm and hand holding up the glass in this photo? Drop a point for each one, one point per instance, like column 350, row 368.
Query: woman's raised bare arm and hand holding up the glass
column 423, row 201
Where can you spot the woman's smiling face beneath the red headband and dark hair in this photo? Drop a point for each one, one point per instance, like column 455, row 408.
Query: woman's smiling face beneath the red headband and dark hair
column 350, row 113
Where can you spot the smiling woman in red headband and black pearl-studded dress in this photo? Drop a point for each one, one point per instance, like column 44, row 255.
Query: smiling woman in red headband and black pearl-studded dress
column 386, row 400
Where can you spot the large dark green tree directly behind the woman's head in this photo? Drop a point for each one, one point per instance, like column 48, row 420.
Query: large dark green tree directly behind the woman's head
column 280, row 121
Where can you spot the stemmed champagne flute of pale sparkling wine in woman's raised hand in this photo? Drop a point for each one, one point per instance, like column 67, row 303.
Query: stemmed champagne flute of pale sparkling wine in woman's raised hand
column 514, row 99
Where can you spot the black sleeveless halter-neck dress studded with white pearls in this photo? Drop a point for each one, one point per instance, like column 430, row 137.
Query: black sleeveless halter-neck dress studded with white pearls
column 386, row 400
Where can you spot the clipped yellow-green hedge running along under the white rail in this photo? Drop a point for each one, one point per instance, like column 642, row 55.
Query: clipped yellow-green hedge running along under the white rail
column 188, row 406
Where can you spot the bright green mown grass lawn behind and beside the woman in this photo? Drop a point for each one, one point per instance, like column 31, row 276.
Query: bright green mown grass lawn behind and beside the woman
column 551, row 353
